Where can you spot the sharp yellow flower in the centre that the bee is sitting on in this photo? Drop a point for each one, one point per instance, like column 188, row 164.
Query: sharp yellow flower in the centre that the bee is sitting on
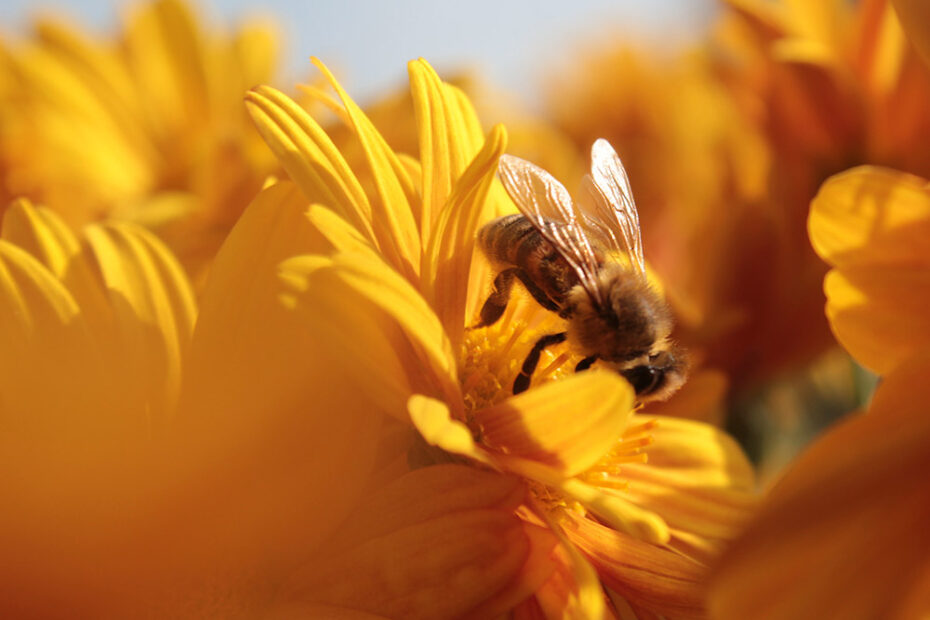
column 389, row 303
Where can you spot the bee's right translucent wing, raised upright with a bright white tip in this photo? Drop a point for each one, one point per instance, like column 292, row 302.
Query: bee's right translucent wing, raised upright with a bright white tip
column 612, row 218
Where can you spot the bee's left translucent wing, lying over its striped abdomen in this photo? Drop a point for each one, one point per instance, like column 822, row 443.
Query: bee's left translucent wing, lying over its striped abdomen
column 548, row 205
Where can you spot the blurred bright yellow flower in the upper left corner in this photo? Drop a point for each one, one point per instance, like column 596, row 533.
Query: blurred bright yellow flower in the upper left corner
column 147, row 127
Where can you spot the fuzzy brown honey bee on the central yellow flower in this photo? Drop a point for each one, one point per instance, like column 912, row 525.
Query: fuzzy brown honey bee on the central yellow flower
column 569, row 258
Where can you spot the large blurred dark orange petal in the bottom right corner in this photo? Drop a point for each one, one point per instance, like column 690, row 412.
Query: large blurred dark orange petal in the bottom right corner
column 840, row 534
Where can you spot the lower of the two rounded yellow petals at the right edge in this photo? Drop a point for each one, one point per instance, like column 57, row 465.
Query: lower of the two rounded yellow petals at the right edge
column 878, row 313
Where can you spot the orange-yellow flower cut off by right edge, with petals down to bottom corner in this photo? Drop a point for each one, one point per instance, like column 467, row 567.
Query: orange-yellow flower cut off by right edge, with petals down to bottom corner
column 841, row 535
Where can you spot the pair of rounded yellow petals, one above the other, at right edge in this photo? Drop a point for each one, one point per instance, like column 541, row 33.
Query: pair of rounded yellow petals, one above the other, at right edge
column 872, row 224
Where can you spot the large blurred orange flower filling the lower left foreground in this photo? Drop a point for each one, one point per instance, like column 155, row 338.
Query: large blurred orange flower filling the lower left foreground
column 154, row 468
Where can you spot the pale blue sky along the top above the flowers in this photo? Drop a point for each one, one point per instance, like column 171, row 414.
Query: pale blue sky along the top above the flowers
column 513, row 43
